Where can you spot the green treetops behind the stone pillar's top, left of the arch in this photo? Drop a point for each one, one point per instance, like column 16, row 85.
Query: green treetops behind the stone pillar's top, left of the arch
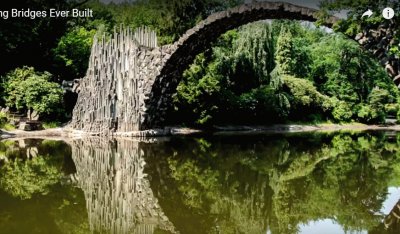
column 169, row 18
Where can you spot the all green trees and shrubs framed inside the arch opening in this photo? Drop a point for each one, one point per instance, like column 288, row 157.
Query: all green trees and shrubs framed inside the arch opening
column 284, row 71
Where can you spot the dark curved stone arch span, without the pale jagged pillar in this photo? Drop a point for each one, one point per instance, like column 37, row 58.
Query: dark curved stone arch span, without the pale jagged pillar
column 182, row 53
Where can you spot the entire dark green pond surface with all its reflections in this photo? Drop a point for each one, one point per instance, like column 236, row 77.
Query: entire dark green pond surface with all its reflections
column 298, row 183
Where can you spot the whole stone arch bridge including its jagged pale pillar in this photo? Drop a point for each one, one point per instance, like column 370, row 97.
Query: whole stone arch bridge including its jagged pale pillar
column 130, row 79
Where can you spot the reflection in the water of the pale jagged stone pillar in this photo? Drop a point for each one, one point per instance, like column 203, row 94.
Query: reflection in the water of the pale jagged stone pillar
column 118, row 195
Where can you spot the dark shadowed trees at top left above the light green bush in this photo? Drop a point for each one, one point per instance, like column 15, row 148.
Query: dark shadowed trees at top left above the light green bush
column 26, row 41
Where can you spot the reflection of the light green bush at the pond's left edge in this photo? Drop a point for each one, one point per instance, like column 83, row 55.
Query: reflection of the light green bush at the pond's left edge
column 25, row 172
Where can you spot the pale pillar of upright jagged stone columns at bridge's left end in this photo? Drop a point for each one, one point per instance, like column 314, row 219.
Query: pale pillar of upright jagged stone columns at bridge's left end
column 119, row 77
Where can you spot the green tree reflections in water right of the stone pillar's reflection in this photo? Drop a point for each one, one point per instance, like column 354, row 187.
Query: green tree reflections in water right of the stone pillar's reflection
column 239, row 187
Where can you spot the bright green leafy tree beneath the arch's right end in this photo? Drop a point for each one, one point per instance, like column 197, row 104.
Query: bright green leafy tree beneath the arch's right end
column 349, row 74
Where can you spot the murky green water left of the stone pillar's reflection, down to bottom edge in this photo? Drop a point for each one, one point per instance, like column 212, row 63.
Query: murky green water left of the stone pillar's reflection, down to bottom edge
column 33, row 199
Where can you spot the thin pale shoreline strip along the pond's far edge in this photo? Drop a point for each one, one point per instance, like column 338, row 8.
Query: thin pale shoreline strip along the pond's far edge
column 216, row 130
